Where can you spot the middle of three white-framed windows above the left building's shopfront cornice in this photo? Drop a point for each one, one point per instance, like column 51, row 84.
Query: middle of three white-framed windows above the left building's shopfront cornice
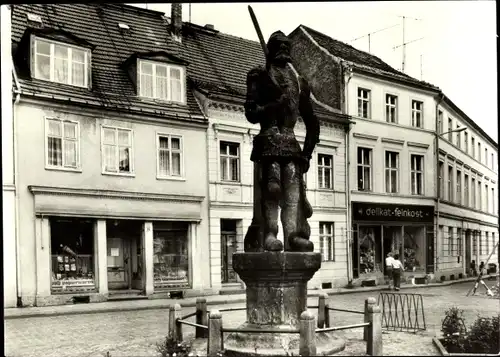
column 117, row 150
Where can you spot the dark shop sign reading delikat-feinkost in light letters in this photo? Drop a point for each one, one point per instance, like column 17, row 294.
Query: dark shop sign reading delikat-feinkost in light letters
column 388, row 212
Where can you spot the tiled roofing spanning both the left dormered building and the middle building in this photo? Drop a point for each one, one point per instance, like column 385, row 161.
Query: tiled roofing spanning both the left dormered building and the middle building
column 218, row 62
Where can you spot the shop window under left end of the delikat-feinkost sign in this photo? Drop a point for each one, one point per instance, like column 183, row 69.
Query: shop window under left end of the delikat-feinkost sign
column 370, row 250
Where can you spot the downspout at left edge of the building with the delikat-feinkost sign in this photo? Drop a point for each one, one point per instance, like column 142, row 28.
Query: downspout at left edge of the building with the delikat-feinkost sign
column 348, row 186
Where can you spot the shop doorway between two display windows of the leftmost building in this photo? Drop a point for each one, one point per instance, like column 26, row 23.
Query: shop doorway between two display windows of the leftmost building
column 124, row 255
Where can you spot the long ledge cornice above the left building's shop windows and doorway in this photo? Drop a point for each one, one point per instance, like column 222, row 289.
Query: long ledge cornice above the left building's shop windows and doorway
column 66, row 191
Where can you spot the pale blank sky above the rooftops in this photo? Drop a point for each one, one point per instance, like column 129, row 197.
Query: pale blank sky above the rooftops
column 451, row 44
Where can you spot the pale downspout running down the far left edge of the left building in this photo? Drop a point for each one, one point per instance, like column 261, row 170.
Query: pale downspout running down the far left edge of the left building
column 17, row 91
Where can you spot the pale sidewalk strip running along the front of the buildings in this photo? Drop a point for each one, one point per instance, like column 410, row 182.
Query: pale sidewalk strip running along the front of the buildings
column 132, row 305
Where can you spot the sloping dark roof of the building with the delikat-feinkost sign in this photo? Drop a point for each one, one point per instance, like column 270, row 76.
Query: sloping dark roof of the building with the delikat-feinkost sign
column 360, row 59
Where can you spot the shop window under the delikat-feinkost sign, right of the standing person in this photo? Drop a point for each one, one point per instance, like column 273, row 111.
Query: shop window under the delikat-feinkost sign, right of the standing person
column 414, row 248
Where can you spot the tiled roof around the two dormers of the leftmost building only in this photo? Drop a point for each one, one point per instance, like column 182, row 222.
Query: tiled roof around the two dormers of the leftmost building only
column 98, row 24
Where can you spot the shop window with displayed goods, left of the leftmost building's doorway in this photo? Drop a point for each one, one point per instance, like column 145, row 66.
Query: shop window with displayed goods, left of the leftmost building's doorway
column 72, row 254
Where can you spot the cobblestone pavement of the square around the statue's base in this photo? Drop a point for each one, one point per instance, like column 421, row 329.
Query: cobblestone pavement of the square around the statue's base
column 135, row 333
